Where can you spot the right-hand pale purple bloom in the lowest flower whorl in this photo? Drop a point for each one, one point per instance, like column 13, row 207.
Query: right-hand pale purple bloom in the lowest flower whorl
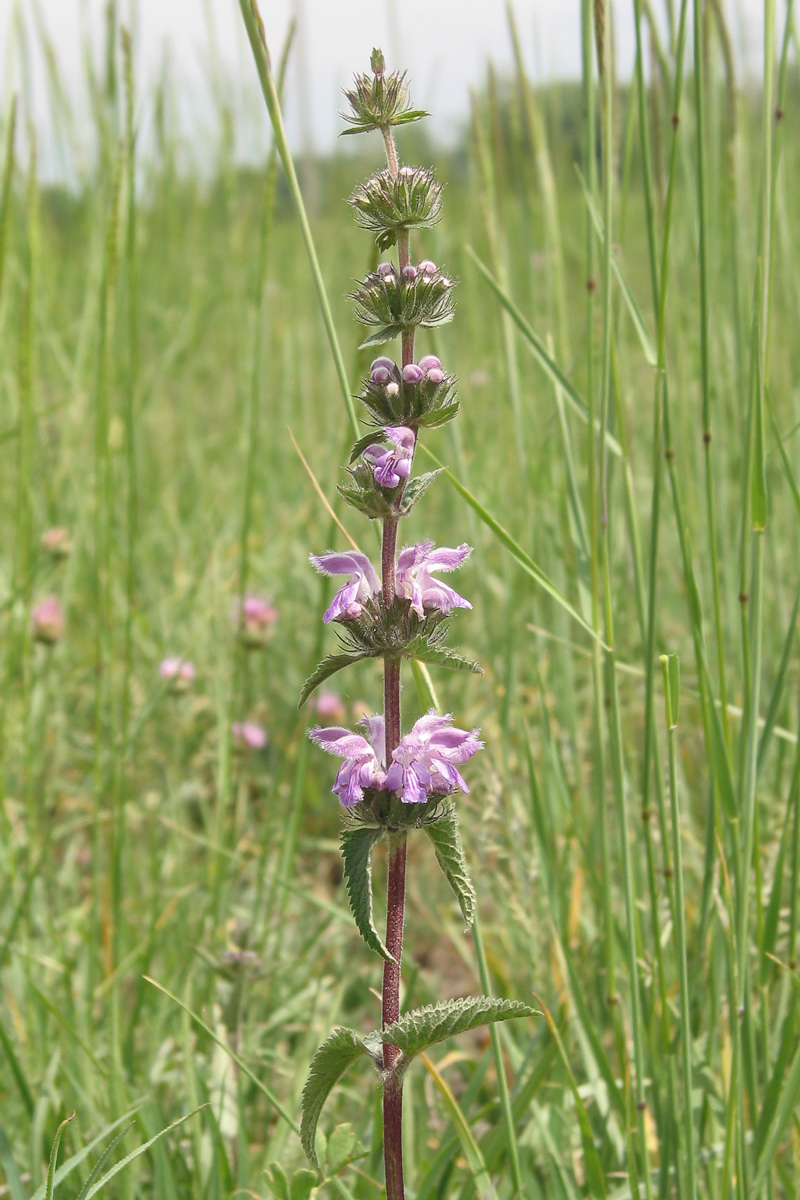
column 426, row 761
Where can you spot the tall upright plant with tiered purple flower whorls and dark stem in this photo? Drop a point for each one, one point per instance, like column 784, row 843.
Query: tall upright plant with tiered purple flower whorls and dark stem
column 390, row 783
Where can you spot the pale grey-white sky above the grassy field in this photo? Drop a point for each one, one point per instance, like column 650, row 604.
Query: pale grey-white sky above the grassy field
column 444, row 45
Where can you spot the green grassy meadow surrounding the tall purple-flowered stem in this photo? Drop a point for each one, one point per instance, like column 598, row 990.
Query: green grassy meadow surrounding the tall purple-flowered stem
column 629, row 433
